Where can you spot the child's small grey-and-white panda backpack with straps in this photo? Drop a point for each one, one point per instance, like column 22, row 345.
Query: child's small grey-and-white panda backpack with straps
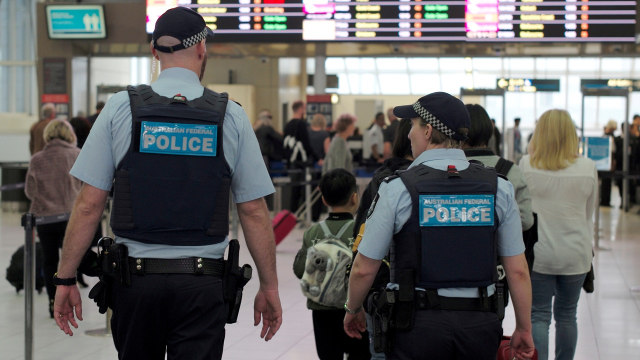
column 325, row 274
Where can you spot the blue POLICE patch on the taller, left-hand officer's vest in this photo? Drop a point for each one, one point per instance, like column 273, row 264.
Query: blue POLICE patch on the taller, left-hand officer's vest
column 178, row 139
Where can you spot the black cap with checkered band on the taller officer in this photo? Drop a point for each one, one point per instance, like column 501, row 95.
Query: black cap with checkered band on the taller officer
column 183, row 24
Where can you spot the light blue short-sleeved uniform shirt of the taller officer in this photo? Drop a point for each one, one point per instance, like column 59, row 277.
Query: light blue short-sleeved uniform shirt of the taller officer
column 110, row 138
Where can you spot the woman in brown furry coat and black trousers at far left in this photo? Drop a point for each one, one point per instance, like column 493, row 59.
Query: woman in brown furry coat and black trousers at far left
column 52, row 191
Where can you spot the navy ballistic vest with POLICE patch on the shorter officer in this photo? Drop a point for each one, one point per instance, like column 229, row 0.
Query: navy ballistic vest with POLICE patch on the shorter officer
column 450, row 239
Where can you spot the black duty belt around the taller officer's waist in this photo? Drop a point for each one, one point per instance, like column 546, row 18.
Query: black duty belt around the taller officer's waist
column 193, row 265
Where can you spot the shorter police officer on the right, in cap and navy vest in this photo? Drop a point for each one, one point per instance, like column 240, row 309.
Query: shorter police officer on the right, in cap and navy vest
column 444, row 219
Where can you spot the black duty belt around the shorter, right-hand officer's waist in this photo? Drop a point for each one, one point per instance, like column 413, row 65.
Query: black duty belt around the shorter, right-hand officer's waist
column 430, row 300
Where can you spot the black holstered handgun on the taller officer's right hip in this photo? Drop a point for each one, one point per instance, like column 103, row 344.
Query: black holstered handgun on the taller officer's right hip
column 234, row 280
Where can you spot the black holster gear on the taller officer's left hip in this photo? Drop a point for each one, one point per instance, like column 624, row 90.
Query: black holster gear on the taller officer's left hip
column 114, row 266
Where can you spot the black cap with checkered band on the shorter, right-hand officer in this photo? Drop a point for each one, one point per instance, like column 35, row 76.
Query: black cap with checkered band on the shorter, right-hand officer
column 444, row 112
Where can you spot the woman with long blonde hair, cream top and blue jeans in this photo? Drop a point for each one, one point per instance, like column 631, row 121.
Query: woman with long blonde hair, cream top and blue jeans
column 564, row 194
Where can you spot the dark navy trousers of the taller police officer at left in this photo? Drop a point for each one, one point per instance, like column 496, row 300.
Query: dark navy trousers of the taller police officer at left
column 180, row 314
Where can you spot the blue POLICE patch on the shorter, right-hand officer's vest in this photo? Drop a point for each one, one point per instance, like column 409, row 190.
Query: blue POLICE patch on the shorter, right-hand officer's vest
column 456, row 210
